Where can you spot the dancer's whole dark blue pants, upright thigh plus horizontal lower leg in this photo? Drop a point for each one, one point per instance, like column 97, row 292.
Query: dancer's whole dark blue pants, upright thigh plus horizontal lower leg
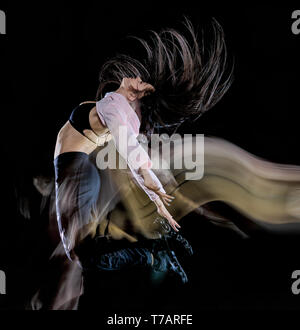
column 77, row 190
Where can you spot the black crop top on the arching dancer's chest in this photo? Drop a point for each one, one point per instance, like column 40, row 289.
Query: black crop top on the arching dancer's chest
column 79, row 117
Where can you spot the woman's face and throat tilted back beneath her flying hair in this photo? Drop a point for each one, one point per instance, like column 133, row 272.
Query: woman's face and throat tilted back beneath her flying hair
column 134, row 88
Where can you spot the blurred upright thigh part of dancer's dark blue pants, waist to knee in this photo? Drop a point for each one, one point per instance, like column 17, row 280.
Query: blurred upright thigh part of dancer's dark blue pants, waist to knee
column 77, row 186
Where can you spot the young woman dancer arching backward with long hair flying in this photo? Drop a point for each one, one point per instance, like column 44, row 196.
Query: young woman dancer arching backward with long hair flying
column 177, row 81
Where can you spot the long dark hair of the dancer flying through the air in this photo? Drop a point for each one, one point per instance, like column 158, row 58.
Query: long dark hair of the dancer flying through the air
column 189, row 77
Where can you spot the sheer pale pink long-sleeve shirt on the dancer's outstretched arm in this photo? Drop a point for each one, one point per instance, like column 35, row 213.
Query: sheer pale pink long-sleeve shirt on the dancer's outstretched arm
column 114, row 111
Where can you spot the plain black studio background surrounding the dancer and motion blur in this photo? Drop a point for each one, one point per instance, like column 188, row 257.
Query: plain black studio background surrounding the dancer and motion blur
column 50, row 59
